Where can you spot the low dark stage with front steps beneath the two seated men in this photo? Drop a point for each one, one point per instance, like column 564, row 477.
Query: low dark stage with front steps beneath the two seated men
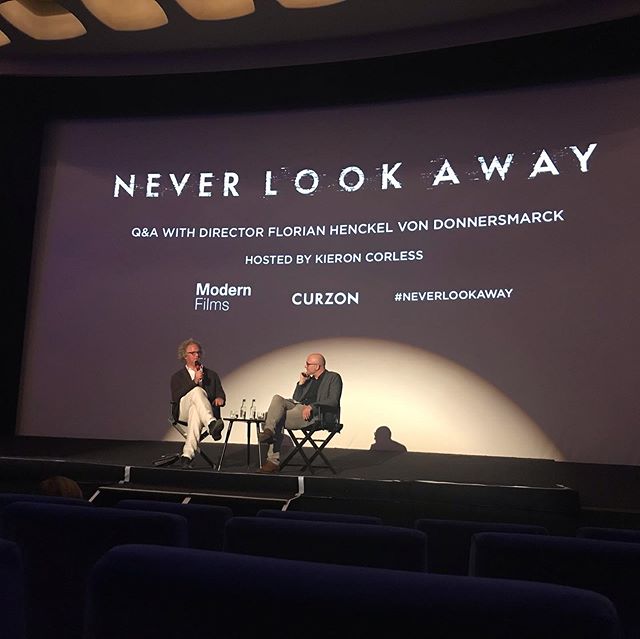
column 399, row 487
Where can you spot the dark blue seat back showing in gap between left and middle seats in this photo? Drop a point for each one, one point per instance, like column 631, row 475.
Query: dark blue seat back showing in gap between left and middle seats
column 206, row 522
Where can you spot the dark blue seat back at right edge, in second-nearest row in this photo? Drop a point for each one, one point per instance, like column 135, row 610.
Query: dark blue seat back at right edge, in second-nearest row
column 610, row 568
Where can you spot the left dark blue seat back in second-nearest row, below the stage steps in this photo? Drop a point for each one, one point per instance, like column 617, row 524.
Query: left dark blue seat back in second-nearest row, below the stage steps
column 60, row 544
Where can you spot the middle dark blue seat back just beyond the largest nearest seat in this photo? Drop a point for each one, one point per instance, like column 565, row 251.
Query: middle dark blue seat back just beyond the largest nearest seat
column 328, row 542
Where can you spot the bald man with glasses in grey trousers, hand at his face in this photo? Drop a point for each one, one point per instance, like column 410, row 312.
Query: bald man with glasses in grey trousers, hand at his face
column 316, row 386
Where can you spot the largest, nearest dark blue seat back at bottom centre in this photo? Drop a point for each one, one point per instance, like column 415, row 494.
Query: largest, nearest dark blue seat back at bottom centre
column 131, row 597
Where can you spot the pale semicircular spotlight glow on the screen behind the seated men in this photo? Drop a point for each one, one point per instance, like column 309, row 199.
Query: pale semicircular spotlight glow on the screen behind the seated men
column 451, row 410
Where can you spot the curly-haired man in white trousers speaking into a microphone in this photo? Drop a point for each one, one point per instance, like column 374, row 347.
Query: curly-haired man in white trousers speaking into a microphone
column 196, row 395
